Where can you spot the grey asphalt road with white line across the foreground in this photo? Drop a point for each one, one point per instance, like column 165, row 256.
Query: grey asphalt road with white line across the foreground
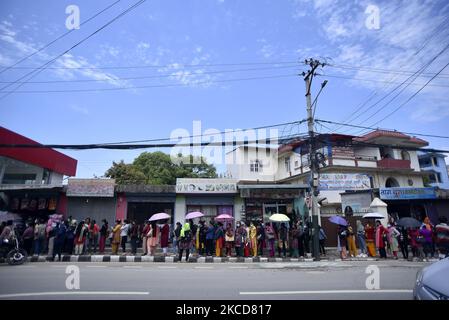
column 219, row 281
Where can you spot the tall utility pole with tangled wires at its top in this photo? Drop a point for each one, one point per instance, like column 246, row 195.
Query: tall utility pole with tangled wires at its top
column 313, row 165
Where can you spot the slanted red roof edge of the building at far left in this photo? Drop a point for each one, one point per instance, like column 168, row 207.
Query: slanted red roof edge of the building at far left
column 41, row 157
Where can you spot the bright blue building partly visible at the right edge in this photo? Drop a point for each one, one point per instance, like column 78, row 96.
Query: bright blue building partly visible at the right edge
column 435, row 165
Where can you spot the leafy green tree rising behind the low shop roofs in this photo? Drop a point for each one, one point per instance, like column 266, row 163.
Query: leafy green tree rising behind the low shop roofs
column 157, row 168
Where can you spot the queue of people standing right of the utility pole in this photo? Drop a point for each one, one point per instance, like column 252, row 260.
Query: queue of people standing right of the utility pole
column 424, row 241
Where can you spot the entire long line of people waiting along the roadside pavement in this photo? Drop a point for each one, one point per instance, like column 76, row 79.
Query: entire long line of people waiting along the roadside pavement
column 57, row 236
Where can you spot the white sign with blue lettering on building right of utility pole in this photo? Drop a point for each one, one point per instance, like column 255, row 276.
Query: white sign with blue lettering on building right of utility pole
column 341, row 181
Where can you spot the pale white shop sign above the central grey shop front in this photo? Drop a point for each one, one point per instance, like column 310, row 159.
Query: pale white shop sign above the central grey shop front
column 206, row 186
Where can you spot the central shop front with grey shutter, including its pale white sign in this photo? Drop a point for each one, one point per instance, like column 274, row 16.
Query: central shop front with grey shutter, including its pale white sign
column 212, row 197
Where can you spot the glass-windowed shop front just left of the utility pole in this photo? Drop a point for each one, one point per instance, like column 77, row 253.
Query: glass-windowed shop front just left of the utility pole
column 261, row 201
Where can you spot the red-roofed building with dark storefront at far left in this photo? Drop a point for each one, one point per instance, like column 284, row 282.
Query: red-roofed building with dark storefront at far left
column 31, row 179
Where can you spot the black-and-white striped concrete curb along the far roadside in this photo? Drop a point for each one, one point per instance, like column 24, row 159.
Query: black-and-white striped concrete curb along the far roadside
column 193, row 259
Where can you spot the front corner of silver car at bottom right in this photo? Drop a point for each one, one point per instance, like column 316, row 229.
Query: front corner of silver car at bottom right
column 432, row 282
